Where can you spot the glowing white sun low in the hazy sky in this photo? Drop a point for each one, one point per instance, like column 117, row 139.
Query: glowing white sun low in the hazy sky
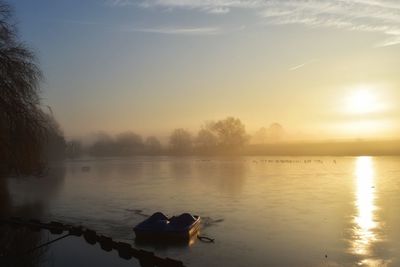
column 362, row 100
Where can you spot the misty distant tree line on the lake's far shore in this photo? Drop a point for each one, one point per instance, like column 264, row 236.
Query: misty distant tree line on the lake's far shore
column 225, row 136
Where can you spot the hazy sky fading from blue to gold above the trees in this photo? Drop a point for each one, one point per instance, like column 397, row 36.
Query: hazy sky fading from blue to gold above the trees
column 322, row 69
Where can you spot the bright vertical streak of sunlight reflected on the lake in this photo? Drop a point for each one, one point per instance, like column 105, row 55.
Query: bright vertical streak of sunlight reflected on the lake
column 364, row 234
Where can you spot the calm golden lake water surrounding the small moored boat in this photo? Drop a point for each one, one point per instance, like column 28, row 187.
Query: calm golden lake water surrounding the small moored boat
column 262, row 211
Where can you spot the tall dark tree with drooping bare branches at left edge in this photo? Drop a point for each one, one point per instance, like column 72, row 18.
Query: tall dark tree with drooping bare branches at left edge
column 22, row 122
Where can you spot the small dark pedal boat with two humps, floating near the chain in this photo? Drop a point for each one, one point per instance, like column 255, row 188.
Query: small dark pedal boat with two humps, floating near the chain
column 160, row 227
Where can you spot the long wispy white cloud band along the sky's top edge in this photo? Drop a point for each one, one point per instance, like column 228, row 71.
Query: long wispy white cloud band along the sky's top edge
column 379, row 16
